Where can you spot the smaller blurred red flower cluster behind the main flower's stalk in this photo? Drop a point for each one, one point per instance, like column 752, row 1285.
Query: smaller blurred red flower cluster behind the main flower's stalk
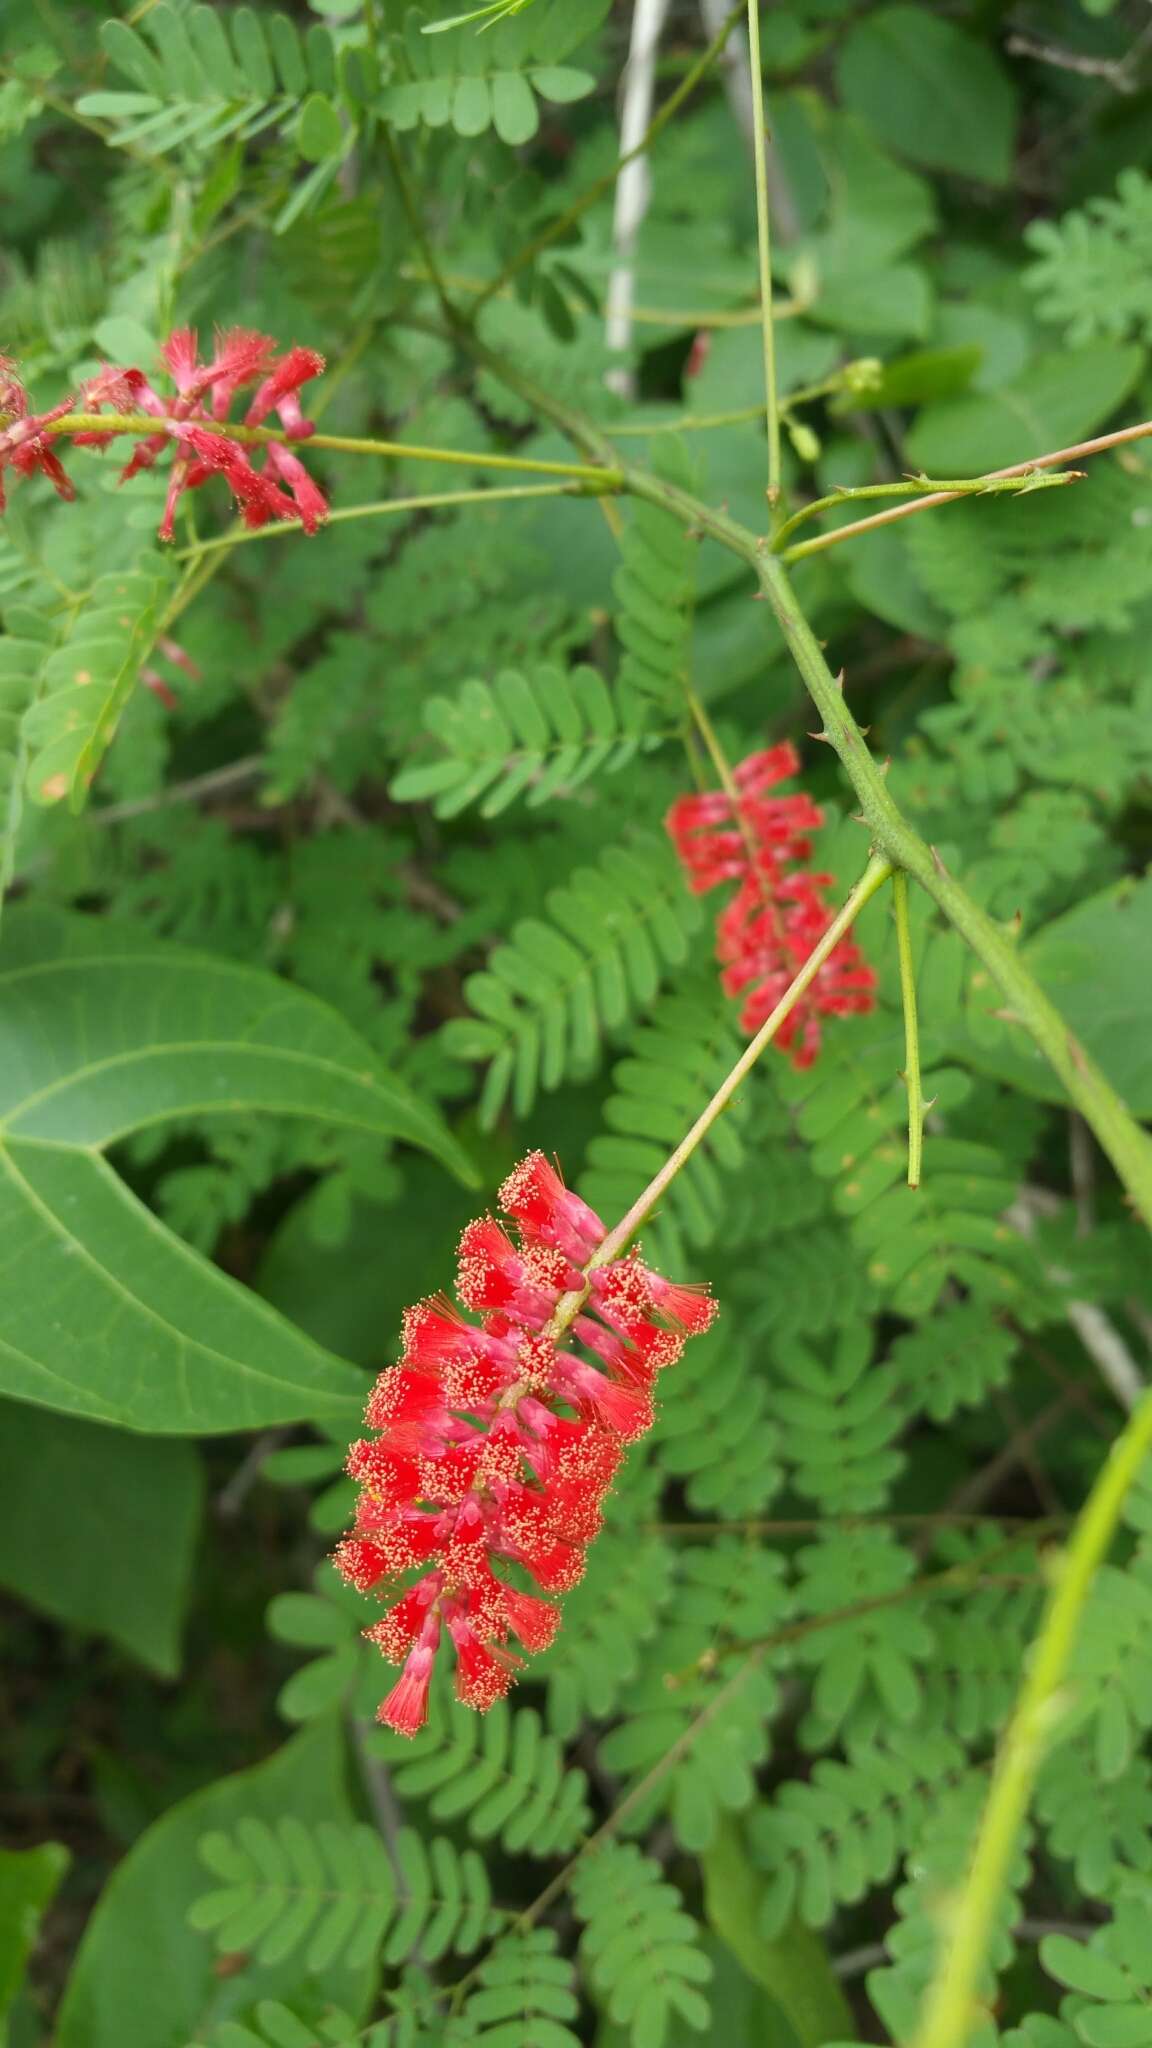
column 778, row 912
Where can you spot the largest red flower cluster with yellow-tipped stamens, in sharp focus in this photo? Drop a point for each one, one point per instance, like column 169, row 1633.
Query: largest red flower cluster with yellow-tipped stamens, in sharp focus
column 497, row 1445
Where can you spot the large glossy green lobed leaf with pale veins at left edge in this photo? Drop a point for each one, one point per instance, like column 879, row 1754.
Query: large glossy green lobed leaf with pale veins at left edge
column 97, row 1046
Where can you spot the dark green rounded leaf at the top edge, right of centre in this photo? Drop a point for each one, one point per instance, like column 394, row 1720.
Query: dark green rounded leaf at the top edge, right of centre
column 932, row 93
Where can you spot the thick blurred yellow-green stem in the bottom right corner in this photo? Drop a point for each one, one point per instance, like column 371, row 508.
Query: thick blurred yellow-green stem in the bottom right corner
column 950, row 2008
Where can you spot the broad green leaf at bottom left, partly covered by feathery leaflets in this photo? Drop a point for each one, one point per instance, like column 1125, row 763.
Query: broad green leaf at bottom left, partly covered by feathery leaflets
column 142, row 1973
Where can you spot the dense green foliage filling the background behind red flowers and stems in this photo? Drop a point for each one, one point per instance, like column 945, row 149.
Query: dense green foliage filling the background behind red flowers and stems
column 393, row 777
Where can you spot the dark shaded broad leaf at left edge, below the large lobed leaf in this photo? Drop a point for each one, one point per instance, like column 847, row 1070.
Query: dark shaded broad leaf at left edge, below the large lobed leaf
column 97, row 1564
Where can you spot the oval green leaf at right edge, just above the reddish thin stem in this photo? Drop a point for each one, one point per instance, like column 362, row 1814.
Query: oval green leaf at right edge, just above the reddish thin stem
column 1055, row 402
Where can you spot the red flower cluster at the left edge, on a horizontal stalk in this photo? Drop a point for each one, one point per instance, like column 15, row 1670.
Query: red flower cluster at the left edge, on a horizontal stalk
column 192, row 423
